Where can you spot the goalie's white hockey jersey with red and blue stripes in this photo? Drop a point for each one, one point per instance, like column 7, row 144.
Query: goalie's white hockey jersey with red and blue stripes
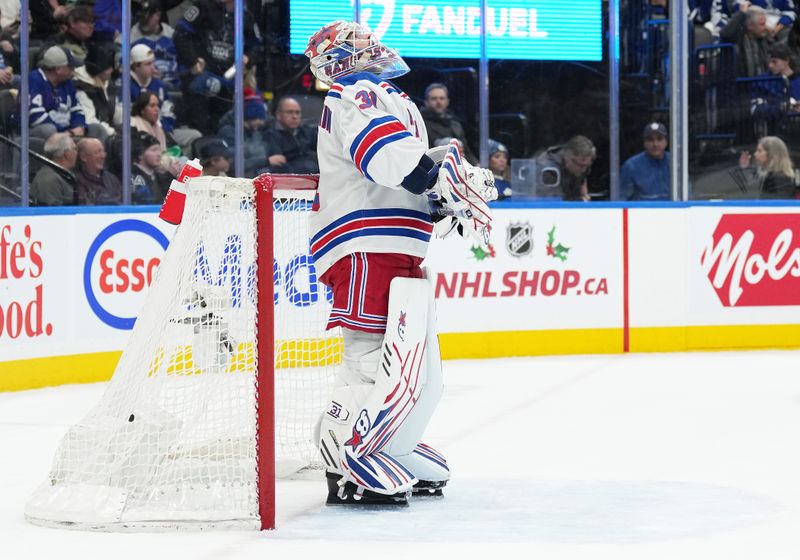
column 371, row 136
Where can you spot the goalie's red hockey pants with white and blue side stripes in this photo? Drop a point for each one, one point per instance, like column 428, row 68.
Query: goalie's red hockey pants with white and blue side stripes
column 360, row 284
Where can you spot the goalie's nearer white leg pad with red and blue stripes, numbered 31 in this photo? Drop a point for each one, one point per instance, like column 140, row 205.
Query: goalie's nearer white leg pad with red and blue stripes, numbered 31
column 366, row 418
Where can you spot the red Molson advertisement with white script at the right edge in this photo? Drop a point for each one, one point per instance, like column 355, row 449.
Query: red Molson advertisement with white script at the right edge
column 754, row 260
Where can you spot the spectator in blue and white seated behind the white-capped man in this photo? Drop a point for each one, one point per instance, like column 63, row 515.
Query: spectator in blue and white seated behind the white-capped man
column 150, row 31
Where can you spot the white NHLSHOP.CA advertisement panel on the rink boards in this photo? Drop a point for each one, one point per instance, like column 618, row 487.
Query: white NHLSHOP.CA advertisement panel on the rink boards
column 541, row 271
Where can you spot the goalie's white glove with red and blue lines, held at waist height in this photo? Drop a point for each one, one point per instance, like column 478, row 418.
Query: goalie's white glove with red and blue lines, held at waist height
column 460, row 196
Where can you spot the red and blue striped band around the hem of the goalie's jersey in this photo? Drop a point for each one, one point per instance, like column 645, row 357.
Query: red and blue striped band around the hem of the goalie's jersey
column 391, row 222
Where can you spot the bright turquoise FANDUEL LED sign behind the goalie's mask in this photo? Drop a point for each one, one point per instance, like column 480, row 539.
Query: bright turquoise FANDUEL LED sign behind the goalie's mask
column 516, row 29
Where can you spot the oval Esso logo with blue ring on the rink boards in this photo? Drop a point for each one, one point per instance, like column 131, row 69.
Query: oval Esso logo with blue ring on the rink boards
column 119, row 266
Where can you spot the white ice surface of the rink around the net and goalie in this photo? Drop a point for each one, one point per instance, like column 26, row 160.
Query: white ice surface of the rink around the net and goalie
column 643, row 456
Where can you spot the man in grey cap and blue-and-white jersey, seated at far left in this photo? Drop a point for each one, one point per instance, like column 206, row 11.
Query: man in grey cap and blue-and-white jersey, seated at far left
column 54, row 105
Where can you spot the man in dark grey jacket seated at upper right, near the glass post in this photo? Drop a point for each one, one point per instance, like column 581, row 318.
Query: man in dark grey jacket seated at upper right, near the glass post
column 747, row 29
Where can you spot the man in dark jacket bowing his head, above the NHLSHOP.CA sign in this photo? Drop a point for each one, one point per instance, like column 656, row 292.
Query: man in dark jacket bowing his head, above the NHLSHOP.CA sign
column 563, row 170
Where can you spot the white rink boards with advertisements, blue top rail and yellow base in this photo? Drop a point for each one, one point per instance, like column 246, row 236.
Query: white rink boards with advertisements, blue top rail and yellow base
column 558, row 279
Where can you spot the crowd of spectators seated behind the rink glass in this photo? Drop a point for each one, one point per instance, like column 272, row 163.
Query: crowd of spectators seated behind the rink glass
column 181, row 103
